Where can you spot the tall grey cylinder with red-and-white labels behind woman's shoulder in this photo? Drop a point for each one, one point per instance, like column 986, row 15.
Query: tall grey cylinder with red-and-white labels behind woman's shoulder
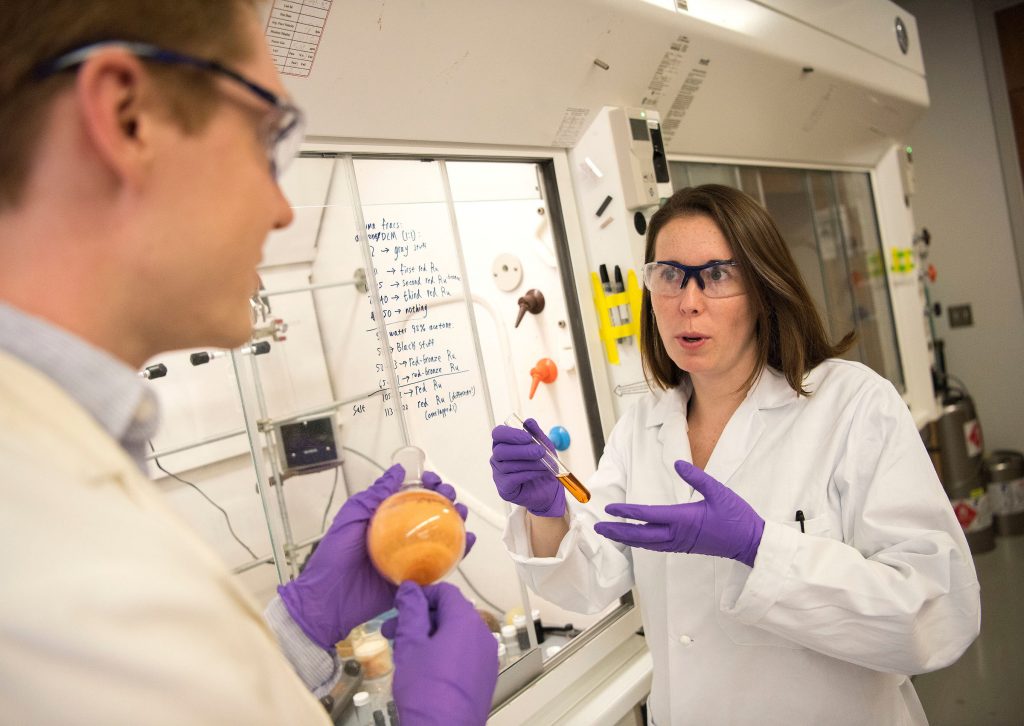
column 957, row 447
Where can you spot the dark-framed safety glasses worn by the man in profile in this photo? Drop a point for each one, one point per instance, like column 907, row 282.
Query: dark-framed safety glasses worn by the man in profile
column 282, row 131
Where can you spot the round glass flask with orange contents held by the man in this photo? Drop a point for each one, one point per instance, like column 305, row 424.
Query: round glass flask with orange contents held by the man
column 416, row 534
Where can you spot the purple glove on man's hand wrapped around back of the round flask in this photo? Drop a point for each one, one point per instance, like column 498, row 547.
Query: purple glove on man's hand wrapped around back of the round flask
column 340, row 588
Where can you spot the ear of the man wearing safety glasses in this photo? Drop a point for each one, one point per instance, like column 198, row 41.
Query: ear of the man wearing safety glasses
column 116, row 99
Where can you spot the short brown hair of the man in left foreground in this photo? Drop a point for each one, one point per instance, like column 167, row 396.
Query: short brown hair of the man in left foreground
column 37, row 31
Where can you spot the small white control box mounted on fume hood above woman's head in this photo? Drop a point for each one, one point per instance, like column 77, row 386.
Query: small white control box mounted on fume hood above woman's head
column 641, row 152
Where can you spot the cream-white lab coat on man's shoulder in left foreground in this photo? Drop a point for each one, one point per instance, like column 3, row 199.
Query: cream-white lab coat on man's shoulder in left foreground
column 112, row 611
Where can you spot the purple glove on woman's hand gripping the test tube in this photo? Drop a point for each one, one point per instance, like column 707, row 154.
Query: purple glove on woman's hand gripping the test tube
column 520, row 473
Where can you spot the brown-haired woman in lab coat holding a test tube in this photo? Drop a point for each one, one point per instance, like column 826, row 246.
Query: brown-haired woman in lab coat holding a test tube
column 794, row 553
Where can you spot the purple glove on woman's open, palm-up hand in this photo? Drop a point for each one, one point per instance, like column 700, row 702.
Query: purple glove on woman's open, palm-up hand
column 723, row 525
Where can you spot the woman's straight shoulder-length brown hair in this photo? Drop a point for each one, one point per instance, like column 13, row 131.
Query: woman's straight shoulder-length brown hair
column 789, row 331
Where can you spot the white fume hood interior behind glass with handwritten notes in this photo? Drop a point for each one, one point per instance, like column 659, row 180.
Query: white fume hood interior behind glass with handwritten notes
column 438, row 363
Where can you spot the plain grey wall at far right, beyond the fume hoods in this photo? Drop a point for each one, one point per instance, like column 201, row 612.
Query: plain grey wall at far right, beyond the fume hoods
column 962, row 200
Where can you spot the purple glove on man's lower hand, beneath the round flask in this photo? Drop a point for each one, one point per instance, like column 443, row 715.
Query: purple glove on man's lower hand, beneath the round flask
column 446, row 659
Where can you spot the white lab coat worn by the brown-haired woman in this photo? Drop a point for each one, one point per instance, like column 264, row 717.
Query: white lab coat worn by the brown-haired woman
column 827, row 626
